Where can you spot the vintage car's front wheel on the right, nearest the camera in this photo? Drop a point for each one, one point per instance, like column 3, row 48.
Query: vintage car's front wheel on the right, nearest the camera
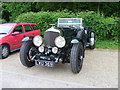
column 76, row 57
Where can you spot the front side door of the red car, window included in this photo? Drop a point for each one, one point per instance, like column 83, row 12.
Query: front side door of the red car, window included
column 16, row 40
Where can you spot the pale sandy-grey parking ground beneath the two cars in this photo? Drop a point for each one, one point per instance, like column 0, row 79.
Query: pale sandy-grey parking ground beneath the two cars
column 100, row 70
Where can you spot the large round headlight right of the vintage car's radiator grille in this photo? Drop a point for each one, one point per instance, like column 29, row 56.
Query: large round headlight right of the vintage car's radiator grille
column 60, row 41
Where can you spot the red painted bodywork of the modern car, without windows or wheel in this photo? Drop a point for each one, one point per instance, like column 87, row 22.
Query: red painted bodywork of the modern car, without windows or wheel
column 15, row 41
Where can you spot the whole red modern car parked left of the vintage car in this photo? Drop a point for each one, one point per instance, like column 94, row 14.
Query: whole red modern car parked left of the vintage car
column 11, row 35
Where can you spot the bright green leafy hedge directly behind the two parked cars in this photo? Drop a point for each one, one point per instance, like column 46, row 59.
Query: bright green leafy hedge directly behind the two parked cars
column 106, row 28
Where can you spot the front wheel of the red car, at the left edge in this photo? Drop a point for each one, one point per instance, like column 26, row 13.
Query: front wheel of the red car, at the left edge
column 4, row 51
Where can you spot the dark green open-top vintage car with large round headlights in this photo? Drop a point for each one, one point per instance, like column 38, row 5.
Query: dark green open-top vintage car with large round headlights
column 65, row 43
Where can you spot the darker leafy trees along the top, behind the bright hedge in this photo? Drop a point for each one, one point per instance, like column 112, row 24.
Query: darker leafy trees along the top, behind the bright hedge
column 12, row 9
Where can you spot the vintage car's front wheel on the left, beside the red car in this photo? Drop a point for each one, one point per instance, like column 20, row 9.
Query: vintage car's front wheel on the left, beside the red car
column 27, row 51
